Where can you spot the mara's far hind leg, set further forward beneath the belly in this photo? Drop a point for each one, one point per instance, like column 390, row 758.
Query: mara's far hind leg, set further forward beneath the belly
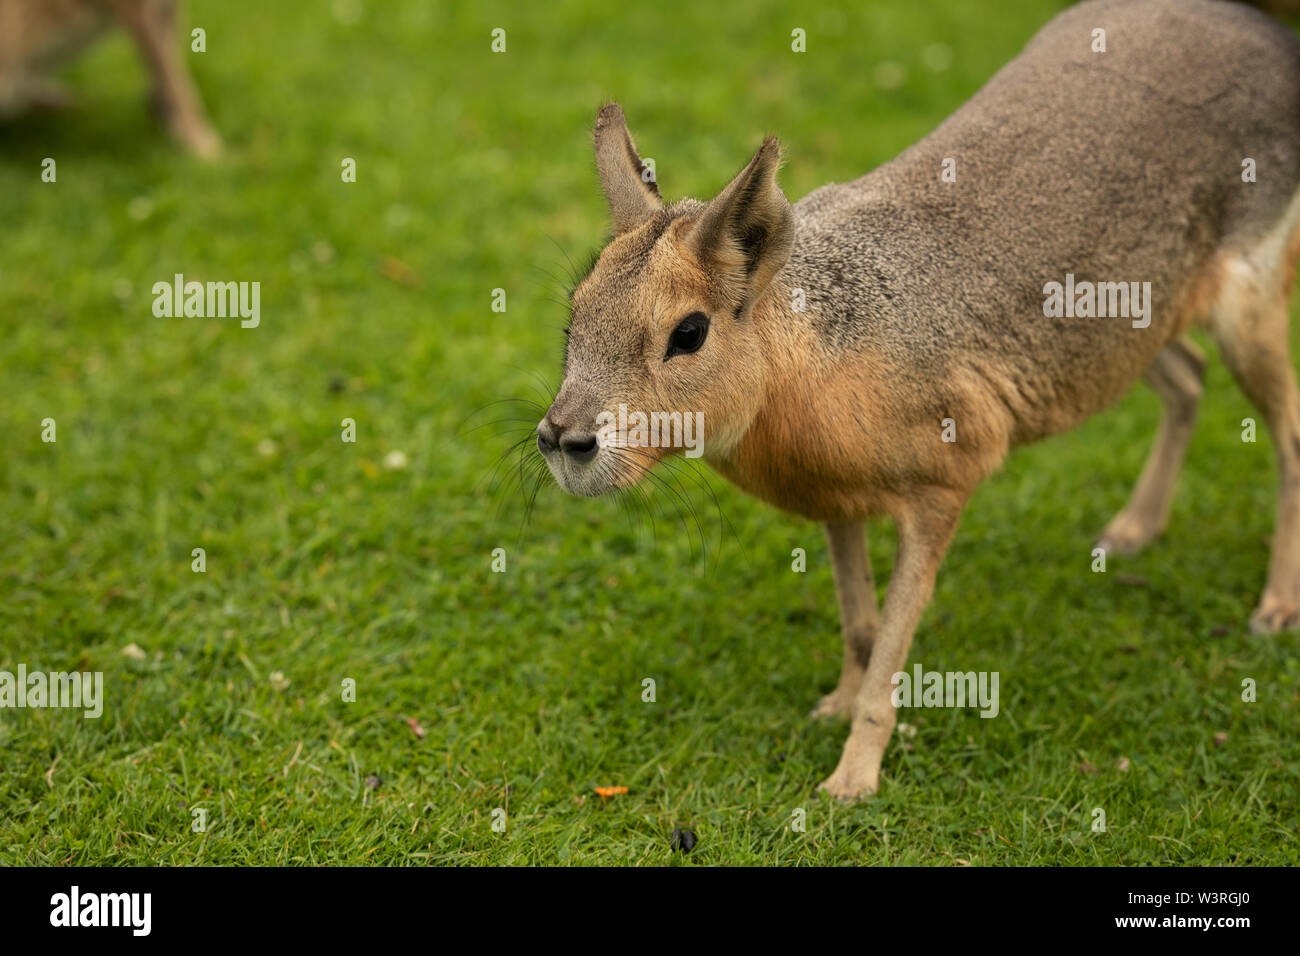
column 1176, row 375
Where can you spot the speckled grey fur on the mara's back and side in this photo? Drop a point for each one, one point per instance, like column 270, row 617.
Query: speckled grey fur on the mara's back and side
column 1124, row 166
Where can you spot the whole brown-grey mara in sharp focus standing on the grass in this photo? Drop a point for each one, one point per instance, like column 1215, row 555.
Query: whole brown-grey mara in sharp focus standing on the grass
column 879, row 347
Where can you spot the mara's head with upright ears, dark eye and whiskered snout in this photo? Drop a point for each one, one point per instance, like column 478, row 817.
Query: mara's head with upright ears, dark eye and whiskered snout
column 665, row 352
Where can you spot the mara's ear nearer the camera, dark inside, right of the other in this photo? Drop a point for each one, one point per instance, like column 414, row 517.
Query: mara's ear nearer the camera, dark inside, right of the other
column 748, row 231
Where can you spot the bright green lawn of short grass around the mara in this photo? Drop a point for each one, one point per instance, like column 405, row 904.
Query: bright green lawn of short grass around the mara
column 475, row 174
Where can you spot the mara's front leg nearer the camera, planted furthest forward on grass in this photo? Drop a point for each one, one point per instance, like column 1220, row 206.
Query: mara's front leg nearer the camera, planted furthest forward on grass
column 926, row 527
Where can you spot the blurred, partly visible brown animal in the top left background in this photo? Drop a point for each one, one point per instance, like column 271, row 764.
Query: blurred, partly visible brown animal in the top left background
column 38, row 36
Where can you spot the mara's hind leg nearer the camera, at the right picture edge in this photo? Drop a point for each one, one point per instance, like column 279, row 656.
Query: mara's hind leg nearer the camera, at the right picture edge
column 1249, row 322
